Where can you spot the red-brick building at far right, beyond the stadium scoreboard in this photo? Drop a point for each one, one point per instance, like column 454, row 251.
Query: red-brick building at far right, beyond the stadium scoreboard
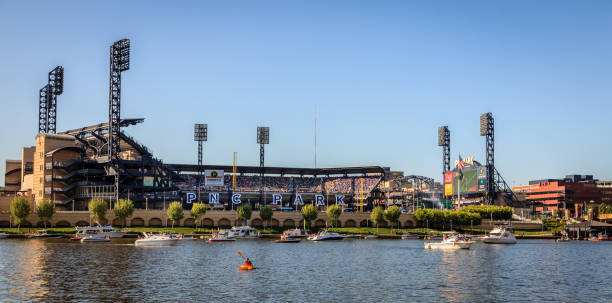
column 571, row 195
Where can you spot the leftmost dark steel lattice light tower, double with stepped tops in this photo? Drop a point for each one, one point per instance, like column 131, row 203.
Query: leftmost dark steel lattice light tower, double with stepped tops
column 47, row 101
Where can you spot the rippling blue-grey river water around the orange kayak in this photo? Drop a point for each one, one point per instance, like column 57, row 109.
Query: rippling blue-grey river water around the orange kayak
column 56, row 270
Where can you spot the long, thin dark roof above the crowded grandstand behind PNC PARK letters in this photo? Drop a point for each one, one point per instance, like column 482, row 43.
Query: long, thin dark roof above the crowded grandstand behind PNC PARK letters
column 362, row 170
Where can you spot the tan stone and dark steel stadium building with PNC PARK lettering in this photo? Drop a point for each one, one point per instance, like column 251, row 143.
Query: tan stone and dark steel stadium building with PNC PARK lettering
column 72, row 167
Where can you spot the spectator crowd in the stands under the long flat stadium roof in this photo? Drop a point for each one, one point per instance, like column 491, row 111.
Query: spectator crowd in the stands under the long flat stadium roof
column 288, row 184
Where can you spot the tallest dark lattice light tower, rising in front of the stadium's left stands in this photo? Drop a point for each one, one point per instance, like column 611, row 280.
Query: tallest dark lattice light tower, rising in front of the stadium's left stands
column 119, row 62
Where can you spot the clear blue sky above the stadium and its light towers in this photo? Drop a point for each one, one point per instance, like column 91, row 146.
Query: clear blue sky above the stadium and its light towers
column 382, row 74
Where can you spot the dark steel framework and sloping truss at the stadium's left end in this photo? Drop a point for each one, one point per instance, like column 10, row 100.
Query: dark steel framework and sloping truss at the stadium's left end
column 85, row 177
